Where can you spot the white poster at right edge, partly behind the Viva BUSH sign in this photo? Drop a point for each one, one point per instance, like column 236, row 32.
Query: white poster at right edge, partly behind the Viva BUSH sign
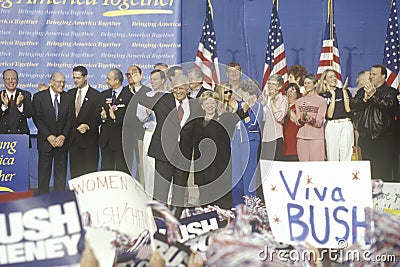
column 390, row 197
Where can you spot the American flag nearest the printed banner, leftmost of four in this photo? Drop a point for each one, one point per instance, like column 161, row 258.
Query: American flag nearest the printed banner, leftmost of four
column 206, row 58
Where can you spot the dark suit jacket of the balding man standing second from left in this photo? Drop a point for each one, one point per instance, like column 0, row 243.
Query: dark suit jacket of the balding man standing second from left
column 45, row 119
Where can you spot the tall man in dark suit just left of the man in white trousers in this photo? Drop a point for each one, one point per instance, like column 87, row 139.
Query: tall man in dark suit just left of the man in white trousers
column 134, row 76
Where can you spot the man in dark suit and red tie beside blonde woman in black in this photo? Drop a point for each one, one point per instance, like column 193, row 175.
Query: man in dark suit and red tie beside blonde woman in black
column 172, row 144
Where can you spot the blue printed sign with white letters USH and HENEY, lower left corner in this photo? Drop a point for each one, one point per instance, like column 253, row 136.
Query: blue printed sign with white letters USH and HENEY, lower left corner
column 41, row 231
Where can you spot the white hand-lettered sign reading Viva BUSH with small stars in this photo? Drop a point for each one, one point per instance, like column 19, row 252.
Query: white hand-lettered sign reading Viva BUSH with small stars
column 321, row 203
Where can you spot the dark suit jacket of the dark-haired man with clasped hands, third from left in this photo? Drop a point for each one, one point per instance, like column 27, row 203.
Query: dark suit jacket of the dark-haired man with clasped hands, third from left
column 89, row 114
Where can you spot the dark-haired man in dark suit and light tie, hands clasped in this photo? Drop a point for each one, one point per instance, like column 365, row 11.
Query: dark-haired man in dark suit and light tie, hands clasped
column 84, row 139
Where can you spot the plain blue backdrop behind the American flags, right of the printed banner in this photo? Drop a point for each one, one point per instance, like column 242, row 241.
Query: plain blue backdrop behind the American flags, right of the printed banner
column 242, row 26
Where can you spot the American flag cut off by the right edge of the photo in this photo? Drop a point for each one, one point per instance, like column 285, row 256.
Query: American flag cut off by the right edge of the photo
column 392, row 49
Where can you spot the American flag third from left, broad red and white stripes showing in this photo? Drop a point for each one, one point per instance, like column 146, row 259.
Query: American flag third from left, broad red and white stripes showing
column 329, row 58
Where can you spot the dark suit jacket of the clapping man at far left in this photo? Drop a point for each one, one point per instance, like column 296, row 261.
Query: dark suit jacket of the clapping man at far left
column 14, row 122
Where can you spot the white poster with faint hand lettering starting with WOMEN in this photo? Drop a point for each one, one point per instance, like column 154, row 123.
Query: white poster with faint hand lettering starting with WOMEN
column 113, row 199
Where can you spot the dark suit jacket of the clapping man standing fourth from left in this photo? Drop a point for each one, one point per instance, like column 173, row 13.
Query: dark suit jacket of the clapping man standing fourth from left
column 111, row 130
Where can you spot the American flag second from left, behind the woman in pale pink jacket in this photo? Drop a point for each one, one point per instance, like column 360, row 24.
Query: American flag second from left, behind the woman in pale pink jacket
column 275, row 59
